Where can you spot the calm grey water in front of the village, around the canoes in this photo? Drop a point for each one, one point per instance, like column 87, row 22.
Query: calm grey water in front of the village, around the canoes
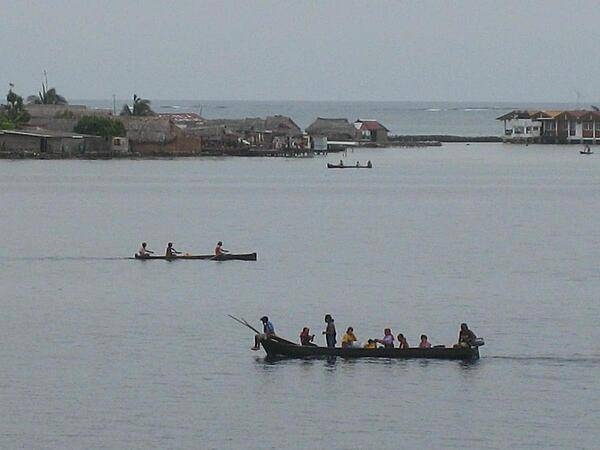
column 100, row 351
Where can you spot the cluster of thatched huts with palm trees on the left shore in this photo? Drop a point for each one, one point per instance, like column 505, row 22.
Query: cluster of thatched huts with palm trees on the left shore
column 56, row 130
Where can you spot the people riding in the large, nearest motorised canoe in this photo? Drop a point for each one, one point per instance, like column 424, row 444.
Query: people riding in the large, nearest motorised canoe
column 466, row 337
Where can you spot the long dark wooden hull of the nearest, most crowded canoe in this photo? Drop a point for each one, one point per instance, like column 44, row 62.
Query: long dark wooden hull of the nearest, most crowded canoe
column 282, row 350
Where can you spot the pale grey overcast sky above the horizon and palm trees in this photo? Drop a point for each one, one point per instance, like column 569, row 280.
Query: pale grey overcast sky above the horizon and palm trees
column 422, row 50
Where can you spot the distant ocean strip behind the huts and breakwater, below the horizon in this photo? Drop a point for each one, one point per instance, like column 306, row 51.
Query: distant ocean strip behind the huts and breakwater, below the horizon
column 463, row 119
